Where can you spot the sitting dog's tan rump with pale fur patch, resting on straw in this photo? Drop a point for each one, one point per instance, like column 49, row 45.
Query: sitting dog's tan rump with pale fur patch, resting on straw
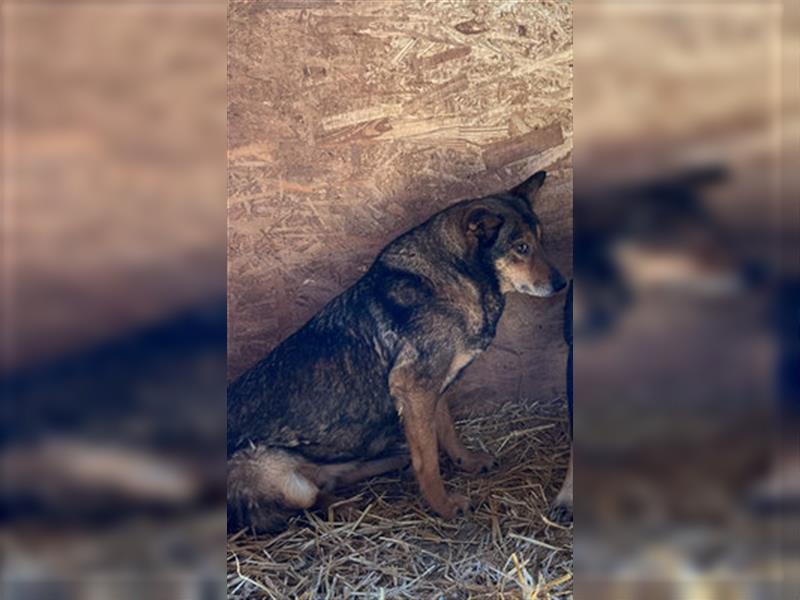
column 267, row 486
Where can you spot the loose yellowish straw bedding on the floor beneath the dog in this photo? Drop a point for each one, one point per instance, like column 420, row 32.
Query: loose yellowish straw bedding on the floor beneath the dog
column 383, row 542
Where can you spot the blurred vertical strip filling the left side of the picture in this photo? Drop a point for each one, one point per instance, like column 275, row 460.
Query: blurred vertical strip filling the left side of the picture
column 113, row 299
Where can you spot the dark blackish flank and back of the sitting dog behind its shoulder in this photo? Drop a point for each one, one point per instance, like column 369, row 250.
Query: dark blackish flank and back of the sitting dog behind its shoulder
column 323, row 391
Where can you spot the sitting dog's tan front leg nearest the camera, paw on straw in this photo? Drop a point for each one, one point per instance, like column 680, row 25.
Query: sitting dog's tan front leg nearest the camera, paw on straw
column 416, row 404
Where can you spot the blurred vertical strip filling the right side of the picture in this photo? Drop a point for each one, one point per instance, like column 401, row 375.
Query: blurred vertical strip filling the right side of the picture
column 686, row 309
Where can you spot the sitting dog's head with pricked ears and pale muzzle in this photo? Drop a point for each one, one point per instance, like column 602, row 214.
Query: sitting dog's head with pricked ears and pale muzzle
column 506, row 232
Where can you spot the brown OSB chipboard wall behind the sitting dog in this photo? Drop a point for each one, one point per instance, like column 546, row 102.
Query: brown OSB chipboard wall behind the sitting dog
column 351, row 122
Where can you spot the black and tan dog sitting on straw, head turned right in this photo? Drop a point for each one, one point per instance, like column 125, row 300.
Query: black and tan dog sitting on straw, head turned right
column 334, row 402
